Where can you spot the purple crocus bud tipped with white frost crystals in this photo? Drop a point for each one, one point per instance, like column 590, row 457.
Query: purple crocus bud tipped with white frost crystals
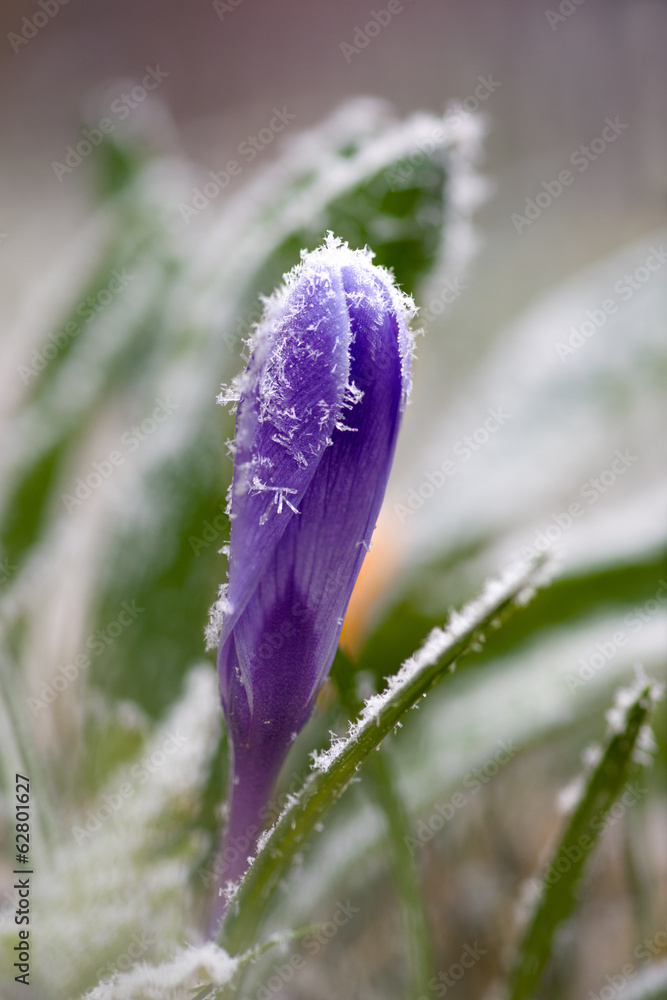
column 319, row 408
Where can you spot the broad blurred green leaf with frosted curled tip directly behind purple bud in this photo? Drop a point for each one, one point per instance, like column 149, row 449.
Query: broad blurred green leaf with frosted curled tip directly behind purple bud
column 346, row 183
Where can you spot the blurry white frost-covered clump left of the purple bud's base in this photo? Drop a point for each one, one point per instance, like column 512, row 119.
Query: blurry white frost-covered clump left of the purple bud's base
column 121, row 869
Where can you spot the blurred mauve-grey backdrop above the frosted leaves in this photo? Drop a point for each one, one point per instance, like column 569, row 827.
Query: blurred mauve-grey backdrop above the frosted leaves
column 558, row 82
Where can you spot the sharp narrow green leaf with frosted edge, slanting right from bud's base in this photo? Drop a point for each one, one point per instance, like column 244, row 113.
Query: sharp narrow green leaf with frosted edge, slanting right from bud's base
column 333, row 770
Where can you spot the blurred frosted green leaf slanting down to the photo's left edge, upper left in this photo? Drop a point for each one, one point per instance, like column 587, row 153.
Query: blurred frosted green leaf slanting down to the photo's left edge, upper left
column 60, row 405
